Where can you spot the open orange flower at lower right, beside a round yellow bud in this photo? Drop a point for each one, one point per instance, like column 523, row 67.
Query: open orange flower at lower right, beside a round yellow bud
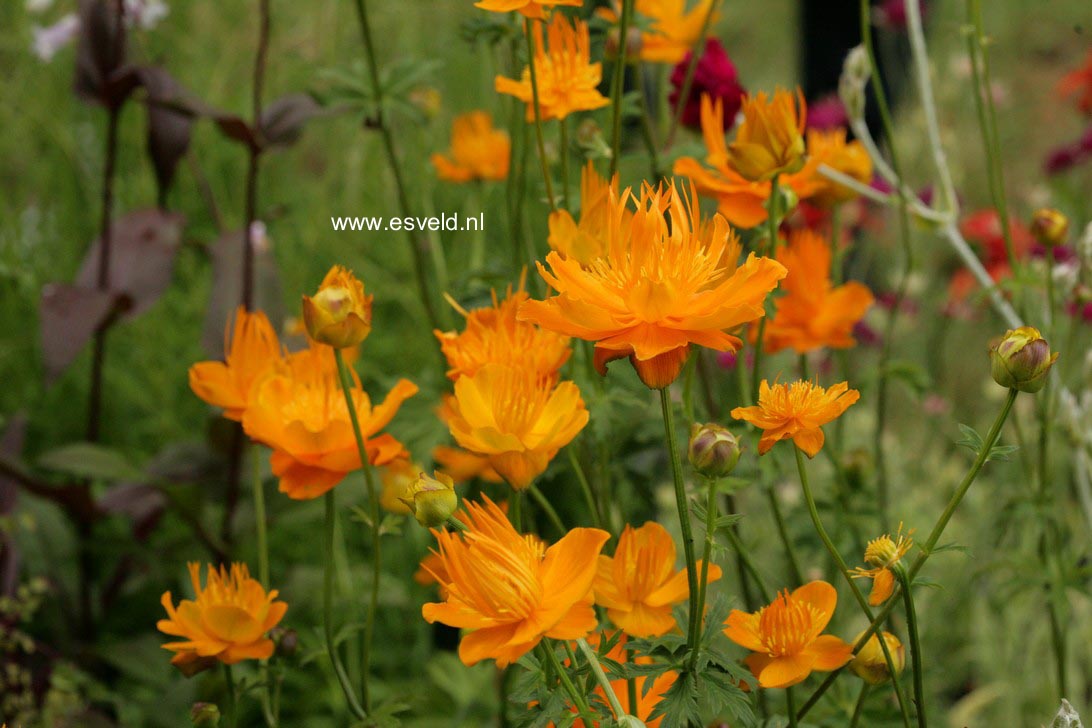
column 786, row 638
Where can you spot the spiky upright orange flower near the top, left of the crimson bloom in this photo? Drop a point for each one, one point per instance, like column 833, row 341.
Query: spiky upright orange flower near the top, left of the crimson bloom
column 567, row 79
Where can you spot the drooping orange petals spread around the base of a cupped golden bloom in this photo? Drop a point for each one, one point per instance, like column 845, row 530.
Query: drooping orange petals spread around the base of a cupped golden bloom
column 740, row 200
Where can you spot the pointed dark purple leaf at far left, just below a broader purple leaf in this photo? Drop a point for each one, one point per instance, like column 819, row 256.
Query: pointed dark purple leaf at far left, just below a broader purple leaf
column 68, row 317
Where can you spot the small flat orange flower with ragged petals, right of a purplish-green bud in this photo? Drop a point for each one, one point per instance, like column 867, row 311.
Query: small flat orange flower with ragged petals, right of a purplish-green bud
column 797, row 411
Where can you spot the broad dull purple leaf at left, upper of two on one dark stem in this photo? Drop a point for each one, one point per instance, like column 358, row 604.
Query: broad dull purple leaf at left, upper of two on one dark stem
column 144, row 245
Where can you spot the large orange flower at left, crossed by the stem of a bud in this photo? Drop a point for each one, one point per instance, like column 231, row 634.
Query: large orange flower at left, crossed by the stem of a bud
column 302, row 415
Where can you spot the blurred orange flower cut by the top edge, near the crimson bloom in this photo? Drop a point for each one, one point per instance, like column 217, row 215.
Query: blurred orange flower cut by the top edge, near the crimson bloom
column 669, row 31
